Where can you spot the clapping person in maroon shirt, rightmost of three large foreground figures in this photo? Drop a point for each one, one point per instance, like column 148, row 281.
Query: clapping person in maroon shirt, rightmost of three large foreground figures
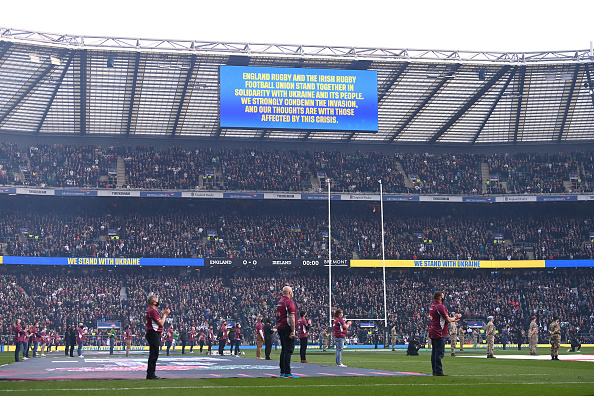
column 438, row 331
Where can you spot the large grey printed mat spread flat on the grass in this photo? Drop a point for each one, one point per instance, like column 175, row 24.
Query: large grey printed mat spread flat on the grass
column 100, row 367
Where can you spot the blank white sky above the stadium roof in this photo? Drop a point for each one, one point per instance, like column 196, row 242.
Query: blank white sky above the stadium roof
column 478, row 25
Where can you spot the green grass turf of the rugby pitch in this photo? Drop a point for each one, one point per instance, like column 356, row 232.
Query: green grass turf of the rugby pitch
column 468, row 376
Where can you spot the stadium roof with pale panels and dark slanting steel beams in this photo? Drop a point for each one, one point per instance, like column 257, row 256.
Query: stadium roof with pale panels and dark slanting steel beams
column 52, row 84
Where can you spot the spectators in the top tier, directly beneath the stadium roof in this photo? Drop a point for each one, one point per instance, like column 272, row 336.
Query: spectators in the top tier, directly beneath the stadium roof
column 251, row 169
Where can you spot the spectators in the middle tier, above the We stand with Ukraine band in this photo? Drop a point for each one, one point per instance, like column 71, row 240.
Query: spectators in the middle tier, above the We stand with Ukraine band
column 54, row 227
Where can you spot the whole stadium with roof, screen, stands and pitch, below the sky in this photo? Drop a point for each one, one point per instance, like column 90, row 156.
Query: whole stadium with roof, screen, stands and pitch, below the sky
column 213, row 174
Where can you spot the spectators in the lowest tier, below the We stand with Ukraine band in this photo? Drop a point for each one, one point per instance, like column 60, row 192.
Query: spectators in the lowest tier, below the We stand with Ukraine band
column 57, row 297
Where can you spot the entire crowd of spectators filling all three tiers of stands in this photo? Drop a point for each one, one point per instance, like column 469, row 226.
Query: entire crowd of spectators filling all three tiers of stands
column 56, row 227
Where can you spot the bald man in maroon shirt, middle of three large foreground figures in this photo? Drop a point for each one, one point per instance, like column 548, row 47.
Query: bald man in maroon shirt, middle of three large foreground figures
column 286, row 314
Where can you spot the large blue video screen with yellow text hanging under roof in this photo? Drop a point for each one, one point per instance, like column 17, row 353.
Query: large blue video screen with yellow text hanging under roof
column 292, row 98
